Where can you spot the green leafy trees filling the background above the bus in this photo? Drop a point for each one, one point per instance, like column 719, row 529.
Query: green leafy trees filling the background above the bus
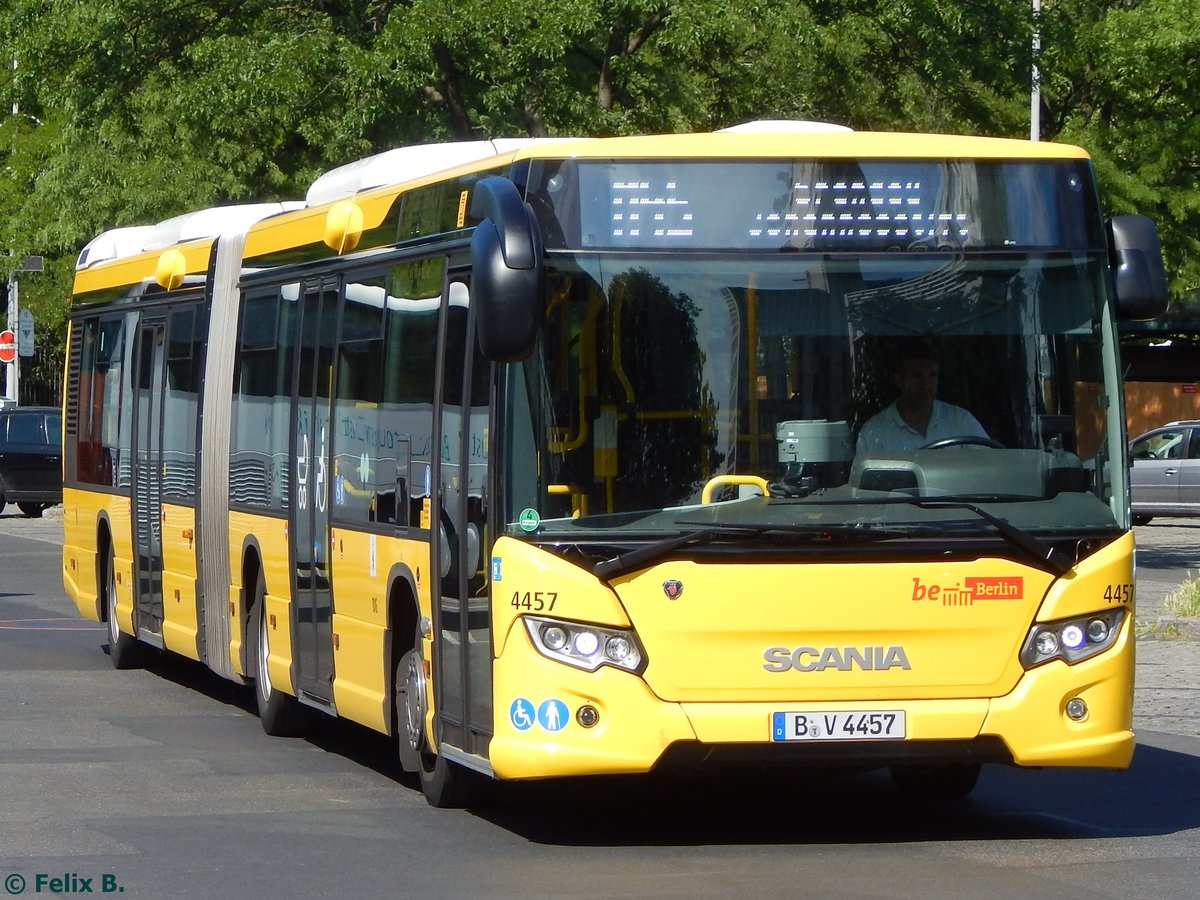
column 133, row 112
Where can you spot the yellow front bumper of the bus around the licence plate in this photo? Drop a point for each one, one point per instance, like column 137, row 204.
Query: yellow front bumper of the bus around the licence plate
column 542, row 710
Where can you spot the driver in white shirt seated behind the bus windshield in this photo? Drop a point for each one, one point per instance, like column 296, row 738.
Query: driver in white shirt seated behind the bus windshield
column 917, row 417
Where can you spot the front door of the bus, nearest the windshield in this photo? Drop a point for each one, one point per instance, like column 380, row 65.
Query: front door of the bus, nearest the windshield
column 464, row 641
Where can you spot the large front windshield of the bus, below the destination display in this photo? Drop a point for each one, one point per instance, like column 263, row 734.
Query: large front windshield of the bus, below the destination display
column 675, row 391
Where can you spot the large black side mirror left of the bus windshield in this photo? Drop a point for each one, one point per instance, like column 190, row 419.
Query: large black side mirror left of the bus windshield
column 507, row 287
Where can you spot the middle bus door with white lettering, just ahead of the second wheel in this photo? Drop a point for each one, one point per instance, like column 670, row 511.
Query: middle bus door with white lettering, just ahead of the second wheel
column 310, row 485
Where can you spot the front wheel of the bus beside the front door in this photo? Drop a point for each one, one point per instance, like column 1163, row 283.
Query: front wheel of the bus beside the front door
column 445, row 784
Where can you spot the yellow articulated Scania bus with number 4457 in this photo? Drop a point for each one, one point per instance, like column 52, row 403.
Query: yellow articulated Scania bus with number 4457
column 784, row 446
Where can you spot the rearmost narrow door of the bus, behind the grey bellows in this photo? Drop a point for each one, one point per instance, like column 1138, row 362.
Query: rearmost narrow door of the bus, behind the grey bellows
column 147, row 507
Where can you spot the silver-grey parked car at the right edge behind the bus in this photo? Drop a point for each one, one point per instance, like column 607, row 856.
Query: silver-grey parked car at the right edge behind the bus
column 1165, row 472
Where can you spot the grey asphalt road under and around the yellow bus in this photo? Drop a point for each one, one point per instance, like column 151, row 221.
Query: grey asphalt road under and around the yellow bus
column 161, row 784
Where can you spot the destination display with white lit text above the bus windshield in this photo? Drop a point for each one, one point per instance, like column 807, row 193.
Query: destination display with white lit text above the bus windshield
column 820, row 205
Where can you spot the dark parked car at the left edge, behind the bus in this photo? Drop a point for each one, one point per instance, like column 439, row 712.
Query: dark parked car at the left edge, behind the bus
column 31, row 458
